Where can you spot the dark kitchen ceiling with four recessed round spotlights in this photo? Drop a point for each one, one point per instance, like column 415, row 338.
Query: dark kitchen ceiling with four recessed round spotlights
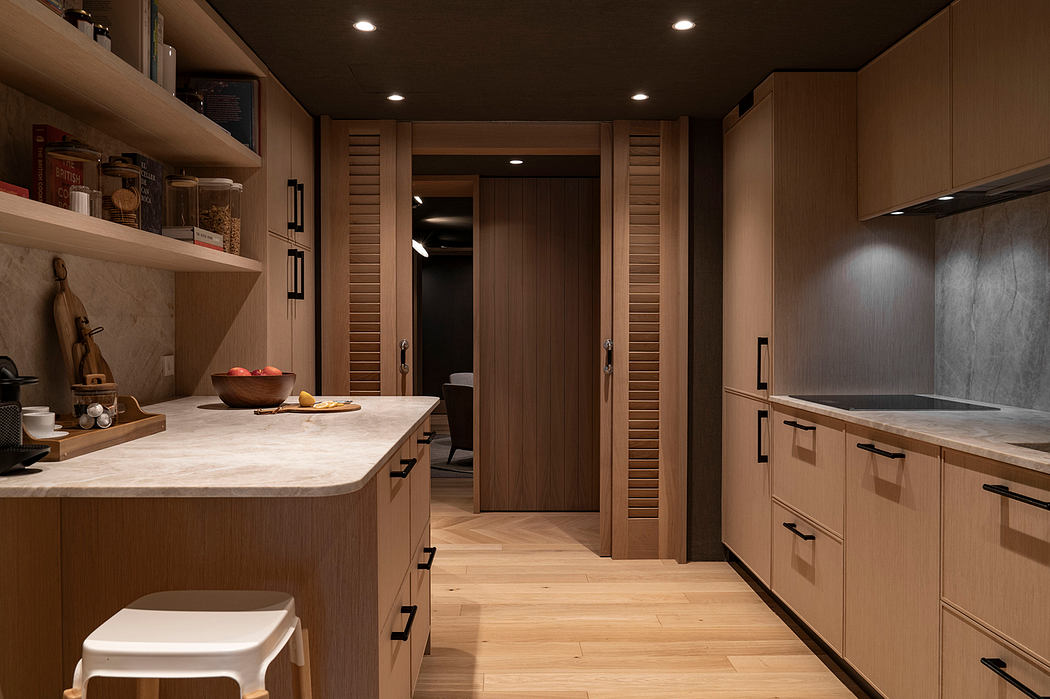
column 556, row 60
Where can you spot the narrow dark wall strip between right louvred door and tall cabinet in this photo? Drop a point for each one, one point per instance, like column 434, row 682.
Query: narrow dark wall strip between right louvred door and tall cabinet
column 705, row 342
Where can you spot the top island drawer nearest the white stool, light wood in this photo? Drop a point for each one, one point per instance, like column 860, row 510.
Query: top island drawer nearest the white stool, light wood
column 394, row 528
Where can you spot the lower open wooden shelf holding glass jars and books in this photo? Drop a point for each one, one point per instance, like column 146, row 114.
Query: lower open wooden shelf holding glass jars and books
column 34, row 225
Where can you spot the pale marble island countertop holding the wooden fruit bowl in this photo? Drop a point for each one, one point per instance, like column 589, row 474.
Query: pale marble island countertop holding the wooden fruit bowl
column 211, row 451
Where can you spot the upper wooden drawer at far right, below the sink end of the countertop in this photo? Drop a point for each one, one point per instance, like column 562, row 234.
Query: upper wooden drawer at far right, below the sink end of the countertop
column 997, row 550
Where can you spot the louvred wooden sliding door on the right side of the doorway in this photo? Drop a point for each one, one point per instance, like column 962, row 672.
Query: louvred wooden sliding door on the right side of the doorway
column 650, row 343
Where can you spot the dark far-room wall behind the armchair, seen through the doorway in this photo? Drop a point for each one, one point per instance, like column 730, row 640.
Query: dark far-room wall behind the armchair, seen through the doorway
column 446, row 320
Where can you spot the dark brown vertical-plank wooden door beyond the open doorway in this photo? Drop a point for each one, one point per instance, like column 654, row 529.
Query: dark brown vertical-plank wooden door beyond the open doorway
column 538, row 376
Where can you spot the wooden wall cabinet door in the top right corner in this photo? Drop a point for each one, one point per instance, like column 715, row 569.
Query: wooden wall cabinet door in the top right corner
column 1000, row 89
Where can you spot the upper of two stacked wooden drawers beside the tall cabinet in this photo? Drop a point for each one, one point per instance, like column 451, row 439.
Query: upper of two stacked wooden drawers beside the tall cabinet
column 809, row 465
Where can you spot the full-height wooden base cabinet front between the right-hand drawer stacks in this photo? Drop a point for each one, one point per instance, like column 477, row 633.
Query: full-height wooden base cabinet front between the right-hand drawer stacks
column 893, row 563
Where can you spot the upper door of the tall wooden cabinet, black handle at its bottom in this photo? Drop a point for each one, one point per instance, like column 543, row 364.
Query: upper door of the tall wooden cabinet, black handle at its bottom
column 748, row 251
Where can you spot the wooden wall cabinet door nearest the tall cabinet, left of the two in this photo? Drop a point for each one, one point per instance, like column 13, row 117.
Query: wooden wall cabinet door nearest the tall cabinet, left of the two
column 905, row 122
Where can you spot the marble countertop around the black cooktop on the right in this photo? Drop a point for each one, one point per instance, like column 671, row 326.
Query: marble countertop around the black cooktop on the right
column 988, row 434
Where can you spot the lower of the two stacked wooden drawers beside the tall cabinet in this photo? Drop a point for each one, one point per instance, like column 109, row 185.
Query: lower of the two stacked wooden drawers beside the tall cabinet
column 808, row 574
